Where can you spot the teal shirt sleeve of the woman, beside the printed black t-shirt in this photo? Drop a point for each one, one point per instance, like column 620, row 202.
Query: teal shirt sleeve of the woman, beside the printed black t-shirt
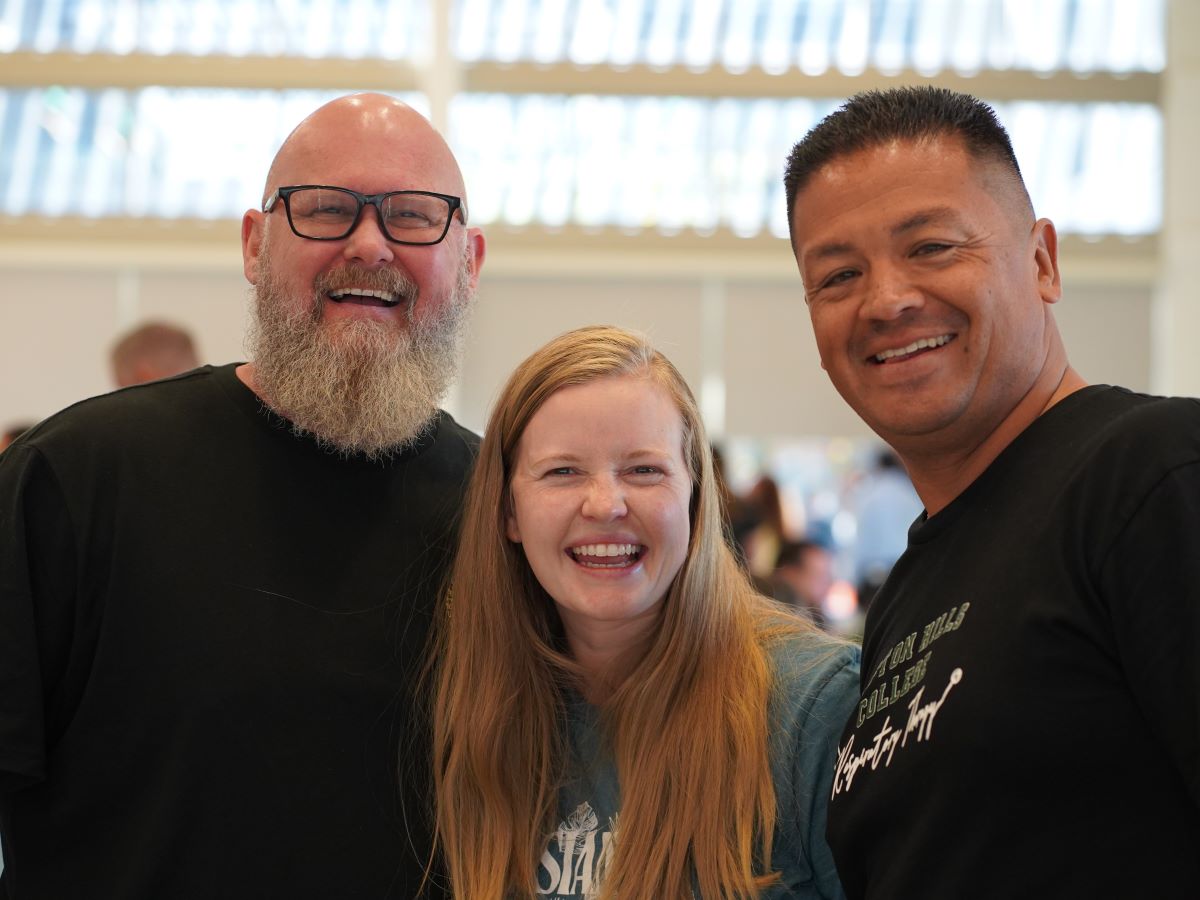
column 832, row 693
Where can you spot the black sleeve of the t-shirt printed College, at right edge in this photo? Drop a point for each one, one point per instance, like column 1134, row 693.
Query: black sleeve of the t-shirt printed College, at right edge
column 1151, row 581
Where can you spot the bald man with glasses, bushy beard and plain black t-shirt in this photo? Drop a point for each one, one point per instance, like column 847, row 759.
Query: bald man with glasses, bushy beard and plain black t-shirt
column 215, row 590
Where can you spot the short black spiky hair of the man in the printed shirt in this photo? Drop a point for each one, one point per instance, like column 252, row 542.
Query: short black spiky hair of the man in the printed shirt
column 910, row 113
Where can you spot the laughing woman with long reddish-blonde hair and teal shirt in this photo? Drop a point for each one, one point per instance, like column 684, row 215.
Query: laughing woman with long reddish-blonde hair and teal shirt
column 619, row 713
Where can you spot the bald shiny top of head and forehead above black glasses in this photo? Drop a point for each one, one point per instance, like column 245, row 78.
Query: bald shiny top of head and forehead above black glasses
column 361, row 133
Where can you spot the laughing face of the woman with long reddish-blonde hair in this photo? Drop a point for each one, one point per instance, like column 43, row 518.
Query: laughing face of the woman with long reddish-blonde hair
column 601, row 496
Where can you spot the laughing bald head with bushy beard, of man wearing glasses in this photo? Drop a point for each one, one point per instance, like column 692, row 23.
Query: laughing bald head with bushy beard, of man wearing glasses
column 356, row 340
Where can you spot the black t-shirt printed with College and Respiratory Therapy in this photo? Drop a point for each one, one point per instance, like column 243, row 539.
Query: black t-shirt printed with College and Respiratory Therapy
column 1030, row 724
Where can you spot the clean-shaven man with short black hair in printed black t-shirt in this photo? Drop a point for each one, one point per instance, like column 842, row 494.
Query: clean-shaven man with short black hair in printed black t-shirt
column 1030, row 721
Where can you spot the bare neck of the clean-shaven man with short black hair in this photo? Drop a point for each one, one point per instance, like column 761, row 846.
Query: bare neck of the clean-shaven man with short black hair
column 941, row 473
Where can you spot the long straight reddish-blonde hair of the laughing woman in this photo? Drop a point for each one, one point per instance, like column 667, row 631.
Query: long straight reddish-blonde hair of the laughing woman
column 688, row 727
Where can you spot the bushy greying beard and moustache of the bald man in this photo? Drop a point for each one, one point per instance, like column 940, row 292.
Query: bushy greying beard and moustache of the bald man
column 358, row 387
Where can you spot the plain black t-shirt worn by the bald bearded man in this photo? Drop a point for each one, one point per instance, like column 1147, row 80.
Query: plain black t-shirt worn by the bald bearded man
column 211, row 631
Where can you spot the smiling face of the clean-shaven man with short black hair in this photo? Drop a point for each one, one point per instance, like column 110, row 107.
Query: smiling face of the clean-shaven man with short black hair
column 927, row 281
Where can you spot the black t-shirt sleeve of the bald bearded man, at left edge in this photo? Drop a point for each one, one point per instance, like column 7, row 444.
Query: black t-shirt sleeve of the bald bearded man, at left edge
column 37, row 604
